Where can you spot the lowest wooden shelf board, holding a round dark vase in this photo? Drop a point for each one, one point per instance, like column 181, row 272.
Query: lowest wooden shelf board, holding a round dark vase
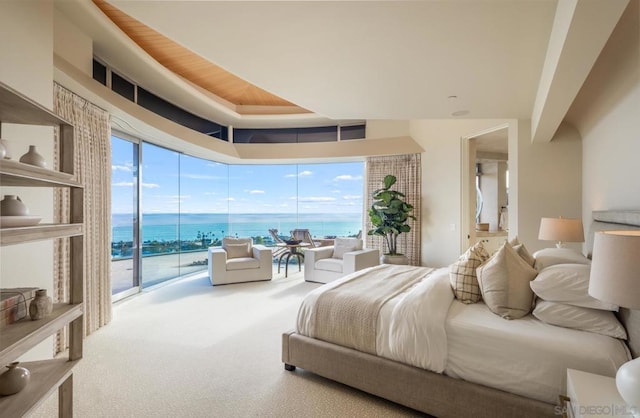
column 46, row 376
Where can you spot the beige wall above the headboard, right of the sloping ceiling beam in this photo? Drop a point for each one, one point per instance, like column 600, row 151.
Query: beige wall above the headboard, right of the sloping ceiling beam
column 607, row 115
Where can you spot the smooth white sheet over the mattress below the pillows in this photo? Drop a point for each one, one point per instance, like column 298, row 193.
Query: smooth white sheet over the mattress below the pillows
column 524, row 356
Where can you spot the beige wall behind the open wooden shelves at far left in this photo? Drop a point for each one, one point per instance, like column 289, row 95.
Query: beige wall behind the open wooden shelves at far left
column 27, row 66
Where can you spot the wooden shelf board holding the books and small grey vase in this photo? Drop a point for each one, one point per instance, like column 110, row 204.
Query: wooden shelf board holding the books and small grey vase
column 19, row 337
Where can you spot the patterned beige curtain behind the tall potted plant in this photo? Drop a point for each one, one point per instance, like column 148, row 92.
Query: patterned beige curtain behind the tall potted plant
column 407, row 170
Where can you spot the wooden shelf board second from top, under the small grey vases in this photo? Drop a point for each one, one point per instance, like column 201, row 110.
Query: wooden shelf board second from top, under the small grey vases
column 15, row 173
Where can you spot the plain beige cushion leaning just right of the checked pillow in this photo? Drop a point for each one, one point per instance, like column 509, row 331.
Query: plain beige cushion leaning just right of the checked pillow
column 504, row 282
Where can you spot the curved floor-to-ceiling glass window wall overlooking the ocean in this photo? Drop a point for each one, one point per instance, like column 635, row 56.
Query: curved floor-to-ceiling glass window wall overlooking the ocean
column 187, row 204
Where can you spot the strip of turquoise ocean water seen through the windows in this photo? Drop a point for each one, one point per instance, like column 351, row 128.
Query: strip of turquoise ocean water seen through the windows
column 169, row 227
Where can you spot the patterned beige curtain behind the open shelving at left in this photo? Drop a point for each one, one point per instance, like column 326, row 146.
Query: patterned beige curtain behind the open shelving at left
column 92, row 168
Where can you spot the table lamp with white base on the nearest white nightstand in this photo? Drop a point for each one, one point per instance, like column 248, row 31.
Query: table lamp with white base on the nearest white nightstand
column 615, row 278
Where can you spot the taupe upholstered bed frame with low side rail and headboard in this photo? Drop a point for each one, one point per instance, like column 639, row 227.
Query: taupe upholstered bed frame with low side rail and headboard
column 434, row 393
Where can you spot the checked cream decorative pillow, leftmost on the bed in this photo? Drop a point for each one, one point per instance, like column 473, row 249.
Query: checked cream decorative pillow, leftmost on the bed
column 462, row 274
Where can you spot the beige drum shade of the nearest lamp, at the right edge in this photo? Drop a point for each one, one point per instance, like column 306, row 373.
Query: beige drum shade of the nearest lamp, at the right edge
column 615, row 268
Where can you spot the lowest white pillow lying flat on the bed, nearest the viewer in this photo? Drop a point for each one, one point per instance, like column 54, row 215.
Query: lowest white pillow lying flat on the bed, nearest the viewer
column 585, row 319
